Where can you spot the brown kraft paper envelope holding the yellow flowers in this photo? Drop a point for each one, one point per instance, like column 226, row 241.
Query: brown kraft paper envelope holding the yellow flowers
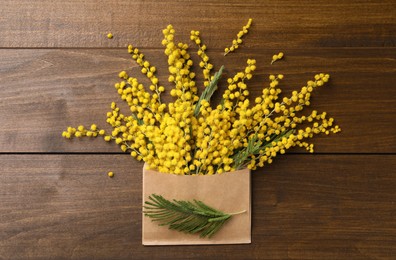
column 228, row 192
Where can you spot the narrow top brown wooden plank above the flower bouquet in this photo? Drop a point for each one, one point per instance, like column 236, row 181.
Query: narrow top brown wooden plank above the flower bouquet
column 302, row 24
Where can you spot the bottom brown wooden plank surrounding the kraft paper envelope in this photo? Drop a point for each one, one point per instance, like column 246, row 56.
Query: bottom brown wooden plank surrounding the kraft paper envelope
column 304, row 207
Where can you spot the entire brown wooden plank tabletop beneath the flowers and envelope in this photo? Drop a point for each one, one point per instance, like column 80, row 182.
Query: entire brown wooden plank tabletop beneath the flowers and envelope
column 57, row 69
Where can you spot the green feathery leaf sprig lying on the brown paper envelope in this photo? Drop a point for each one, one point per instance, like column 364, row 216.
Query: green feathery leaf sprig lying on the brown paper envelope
column 185, row 216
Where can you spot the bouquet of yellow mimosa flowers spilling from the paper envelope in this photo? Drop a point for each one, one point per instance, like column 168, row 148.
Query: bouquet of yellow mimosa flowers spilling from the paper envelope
column 189, row 135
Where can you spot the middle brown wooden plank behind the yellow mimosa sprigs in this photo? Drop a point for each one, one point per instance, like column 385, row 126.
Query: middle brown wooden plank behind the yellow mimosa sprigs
column 44, row 91
